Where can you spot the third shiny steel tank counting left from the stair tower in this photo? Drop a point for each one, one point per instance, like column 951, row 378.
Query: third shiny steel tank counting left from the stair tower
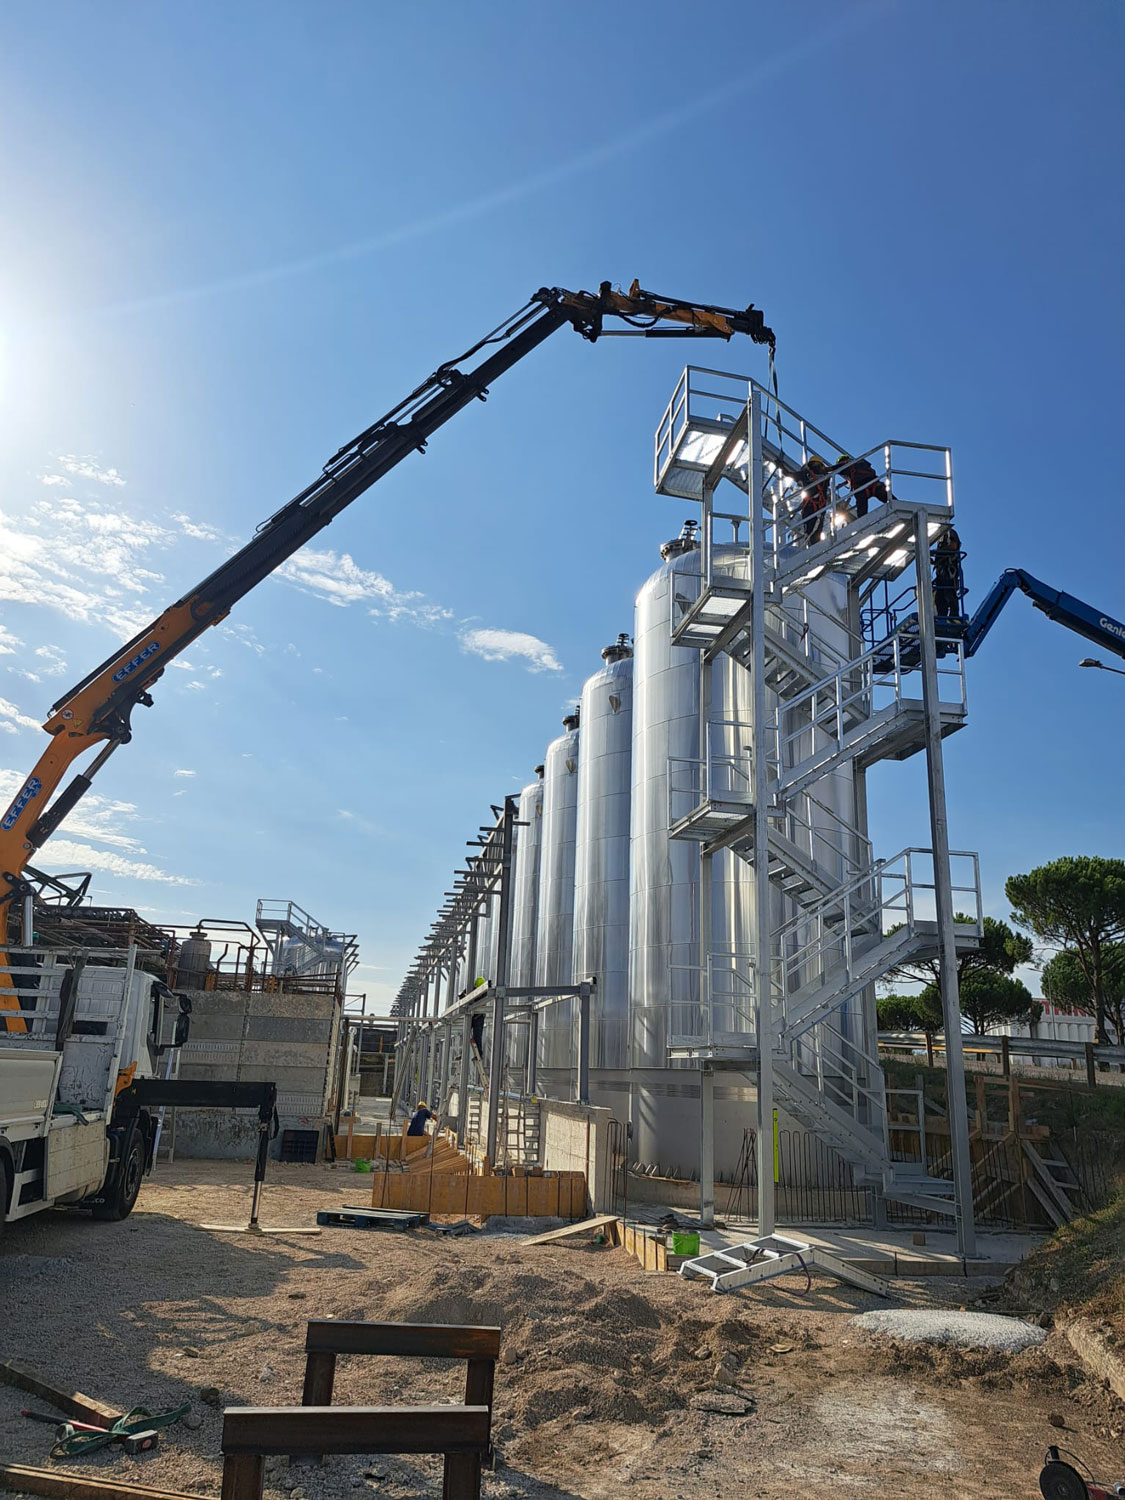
column 554, row 946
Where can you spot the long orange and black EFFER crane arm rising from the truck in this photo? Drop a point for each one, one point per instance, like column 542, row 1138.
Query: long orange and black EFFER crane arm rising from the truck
column 98, row 712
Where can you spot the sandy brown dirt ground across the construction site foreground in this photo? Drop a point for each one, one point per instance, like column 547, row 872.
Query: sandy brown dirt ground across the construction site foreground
column 602, row 1376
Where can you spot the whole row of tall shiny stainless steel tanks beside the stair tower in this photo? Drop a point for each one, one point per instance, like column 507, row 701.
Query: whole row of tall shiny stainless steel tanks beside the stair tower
column 601, row 887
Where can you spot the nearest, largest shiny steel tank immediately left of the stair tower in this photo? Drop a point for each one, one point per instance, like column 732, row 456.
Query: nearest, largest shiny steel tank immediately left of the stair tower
column 665, row 910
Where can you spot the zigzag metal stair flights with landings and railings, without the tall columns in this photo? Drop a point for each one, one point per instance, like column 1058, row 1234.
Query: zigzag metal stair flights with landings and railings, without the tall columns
column 836, row 701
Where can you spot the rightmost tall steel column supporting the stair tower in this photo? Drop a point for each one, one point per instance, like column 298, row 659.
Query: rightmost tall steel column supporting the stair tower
column 943, row 880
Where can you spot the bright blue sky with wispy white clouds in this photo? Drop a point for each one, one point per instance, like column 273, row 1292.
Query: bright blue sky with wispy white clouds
column 235, row 235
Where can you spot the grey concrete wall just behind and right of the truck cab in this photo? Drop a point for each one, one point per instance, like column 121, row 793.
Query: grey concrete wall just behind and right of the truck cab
column 289, row 1040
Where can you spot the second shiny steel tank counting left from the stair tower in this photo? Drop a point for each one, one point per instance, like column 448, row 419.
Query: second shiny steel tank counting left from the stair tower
column 602, row 868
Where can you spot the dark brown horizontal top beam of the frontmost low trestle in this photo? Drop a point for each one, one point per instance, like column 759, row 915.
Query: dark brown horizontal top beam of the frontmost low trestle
column 302, row 1432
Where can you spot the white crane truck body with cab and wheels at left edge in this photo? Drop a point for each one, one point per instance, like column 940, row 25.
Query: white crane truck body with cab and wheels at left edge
column 89, row 1024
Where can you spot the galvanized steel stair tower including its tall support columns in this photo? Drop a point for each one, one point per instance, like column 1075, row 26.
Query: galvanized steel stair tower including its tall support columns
column 728, row 428
